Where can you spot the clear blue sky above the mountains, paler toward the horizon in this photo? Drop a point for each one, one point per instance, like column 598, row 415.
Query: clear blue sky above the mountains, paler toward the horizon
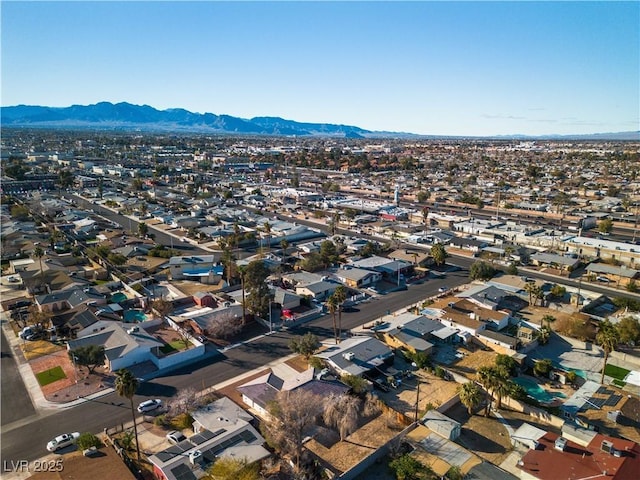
column 442, row 68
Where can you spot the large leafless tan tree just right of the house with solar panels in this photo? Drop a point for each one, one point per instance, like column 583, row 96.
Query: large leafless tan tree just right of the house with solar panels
column 292, row 414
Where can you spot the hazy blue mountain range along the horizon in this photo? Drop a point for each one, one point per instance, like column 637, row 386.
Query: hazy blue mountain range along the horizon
column 126, row 116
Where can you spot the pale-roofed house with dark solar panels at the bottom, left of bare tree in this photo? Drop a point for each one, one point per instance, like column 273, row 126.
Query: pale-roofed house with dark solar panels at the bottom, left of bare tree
column 224, row 430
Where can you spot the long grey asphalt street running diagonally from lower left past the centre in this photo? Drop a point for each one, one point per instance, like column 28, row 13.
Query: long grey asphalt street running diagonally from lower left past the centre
column 26, row 439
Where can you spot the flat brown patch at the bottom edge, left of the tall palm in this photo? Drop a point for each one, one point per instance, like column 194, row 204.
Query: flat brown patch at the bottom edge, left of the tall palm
column 107, row 466
